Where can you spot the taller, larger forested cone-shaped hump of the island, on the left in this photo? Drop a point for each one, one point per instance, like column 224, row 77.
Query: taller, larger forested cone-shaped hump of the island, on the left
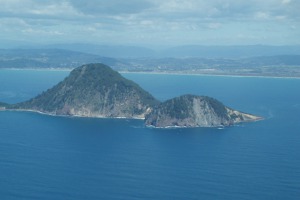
column 93, row 90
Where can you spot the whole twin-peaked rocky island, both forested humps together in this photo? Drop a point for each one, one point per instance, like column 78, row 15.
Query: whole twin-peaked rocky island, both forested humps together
column 95, row 90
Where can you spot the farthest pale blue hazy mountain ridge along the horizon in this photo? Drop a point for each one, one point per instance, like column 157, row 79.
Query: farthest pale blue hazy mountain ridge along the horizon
column 200, row 51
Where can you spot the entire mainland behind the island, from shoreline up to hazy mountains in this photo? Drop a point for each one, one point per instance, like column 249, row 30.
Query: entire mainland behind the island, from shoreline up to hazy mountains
column 272, row 61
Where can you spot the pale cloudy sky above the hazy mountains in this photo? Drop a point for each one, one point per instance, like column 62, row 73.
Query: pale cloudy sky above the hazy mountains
column 150, row 22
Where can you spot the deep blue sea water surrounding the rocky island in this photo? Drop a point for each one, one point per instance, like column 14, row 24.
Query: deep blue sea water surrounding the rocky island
column 46, row 157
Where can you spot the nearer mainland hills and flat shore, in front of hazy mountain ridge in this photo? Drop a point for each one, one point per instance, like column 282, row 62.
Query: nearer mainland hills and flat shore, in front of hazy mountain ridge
column 284, row 65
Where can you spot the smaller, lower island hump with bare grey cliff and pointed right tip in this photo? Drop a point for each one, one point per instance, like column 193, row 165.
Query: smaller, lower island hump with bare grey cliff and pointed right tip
column 195, row 111
